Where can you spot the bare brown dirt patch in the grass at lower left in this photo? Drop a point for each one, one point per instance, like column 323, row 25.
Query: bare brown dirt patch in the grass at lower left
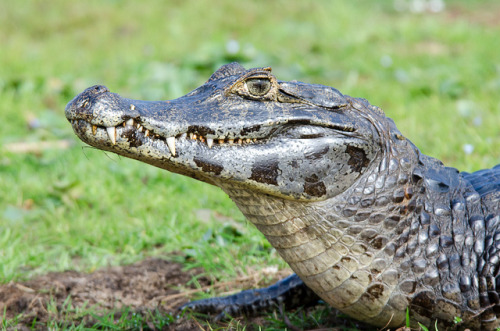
column 152, row 284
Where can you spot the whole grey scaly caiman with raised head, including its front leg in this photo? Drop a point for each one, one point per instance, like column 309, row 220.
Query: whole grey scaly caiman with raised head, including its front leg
column 367, row 222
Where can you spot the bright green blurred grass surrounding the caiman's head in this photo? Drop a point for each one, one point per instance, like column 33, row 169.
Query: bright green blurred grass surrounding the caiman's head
column 436, row 75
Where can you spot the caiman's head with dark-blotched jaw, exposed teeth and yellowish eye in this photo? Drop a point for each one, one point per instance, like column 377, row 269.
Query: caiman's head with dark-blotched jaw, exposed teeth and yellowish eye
column 286, row 139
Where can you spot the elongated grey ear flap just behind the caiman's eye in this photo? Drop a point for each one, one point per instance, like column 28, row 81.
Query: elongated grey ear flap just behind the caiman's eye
column 318, row 95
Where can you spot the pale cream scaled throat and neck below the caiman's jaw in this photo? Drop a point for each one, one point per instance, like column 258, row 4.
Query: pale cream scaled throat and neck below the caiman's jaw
column 348, row 236
